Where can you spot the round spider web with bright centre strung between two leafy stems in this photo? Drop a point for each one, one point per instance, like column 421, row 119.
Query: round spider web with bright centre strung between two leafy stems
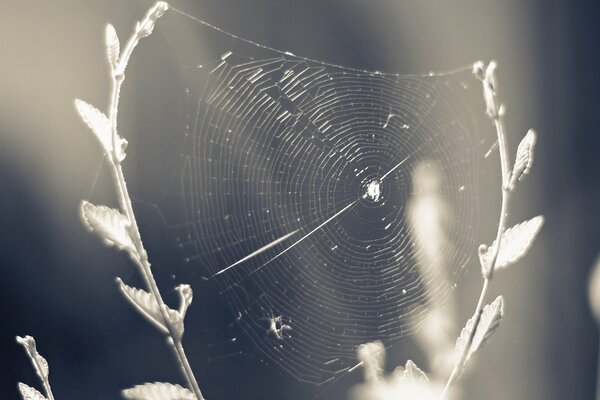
column 294, row 192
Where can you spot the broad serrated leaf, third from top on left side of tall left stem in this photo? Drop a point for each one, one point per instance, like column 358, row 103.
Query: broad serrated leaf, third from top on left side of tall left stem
column 109, row 224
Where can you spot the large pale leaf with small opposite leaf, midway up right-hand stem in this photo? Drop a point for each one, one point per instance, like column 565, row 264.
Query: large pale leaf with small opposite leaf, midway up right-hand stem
column 514, row 244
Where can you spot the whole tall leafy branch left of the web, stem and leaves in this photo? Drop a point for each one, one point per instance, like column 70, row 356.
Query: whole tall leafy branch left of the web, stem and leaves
column 119, row 228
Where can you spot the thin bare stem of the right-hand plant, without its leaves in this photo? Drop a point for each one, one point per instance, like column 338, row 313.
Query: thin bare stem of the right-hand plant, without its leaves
column 496, row 116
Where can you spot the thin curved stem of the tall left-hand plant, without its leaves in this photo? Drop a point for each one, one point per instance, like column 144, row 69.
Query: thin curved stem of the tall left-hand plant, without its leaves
column 141, row 258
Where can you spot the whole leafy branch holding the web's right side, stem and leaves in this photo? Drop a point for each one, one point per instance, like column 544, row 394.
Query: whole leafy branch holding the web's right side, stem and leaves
column 510, row 244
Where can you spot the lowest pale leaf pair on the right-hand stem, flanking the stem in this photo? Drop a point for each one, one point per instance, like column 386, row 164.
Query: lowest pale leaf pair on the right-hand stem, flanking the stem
column 488, row 323
